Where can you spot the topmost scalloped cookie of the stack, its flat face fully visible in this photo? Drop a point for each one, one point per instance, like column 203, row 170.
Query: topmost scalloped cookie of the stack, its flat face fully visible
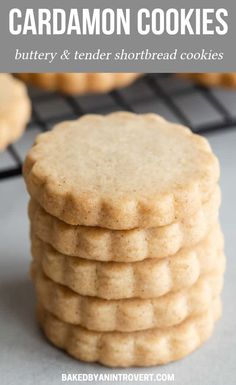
column 120, row 171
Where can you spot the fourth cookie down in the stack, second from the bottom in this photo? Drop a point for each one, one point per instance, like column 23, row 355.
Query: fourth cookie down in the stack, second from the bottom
column 129, row 314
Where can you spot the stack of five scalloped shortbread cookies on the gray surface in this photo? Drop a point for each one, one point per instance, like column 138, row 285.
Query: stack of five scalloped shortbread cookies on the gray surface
column 127, row 249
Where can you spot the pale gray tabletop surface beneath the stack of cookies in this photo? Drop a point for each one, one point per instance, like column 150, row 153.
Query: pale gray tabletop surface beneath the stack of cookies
column 26, row 358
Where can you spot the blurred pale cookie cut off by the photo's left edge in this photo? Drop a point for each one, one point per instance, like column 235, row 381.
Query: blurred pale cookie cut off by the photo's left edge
column 15, row 109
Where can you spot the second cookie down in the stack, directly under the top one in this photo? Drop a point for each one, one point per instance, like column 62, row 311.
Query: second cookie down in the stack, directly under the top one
column 101, row 244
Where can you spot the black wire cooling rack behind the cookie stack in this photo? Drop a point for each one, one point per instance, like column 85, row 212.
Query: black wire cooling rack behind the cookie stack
column 200, row 108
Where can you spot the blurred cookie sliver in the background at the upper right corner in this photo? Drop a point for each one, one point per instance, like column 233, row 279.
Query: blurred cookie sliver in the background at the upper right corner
column 215, row 79
